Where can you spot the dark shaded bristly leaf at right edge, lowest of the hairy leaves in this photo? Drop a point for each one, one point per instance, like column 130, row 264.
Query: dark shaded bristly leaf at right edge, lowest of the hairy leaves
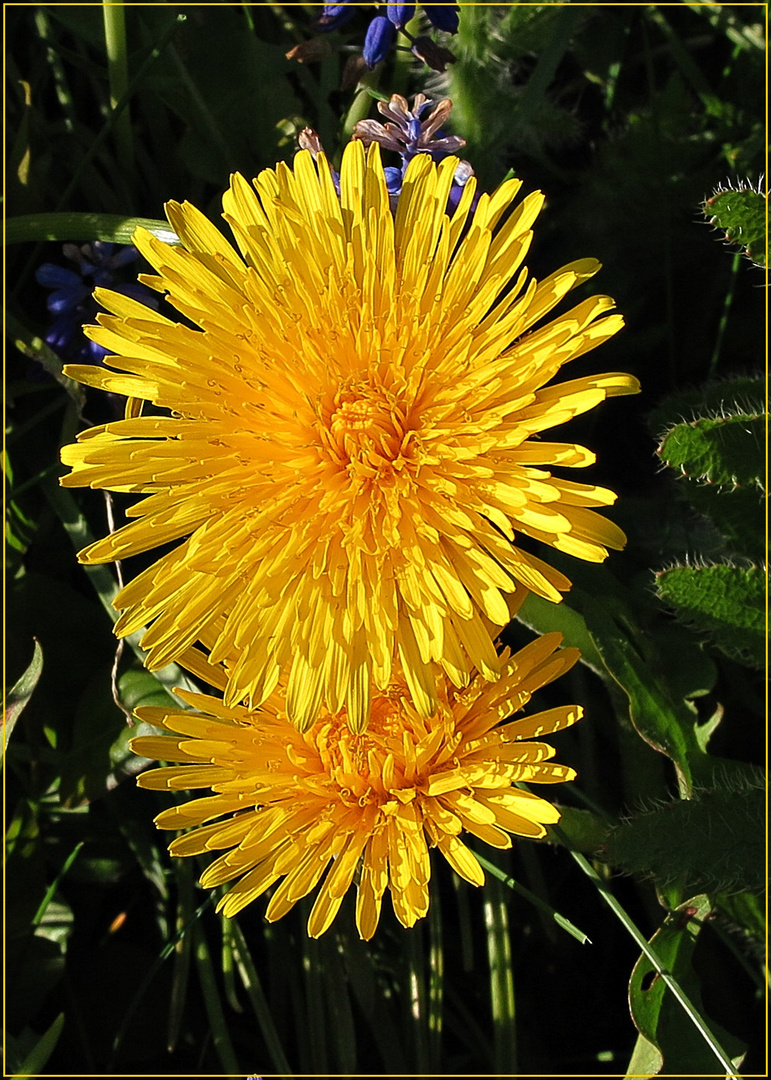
column 713, row 843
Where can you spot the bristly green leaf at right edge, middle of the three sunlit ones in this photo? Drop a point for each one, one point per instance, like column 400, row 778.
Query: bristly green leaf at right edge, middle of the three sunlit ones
column 726, row 451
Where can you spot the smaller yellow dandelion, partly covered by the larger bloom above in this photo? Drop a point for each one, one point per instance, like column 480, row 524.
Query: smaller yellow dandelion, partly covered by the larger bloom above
column 292, row 803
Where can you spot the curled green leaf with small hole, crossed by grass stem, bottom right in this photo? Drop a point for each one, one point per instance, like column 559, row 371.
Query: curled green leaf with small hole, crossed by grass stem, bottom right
column 671, row 1043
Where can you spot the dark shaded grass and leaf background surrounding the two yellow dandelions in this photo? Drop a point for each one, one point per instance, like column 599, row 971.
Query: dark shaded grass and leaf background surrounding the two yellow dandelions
column 629, row 118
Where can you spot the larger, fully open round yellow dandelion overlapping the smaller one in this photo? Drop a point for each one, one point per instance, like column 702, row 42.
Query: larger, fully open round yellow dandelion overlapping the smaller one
column 354, row 443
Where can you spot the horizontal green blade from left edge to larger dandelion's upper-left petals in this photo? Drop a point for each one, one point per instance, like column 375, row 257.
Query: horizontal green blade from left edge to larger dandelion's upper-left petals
column 79, row 228
